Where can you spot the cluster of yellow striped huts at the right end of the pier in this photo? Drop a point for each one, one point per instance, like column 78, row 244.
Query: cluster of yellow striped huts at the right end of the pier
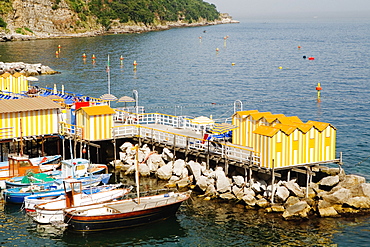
column 284, row 141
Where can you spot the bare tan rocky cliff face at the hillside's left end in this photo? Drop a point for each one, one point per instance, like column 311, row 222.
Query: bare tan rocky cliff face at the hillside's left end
column 38, row 17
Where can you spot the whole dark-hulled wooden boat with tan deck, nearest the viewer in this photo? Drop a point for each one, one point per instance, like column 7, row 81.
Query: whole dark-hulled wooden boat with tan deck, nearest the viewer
column 126, row 213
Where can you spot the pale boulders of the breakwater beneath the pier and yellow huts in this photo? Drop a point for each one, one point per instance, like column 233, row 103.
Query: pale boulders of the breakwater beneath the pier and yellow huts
column 335, row 195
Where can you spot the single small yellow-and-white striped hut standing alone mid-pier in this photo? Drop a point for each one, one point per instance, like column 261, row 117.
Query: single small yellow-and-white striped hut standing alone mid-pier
column 97, row 122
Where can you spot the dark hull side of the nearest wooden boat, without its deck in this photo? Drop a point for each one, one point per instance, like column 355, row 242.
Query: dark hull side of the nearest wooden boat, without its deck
column 118, row 221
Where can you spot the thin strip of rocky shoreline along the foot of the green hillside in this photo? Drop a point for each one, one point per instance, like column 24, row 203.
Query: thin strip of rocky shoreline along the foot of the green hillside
column 116, row 29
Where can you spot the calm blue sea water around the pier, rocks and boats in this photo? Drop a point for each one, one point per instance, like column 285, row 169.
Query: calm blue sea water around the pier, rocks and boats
column 180, row 74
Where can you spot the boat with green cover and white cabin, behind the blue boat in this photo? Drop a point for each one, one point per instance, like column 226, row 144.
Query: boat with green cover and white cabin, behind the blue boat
column 69, row 168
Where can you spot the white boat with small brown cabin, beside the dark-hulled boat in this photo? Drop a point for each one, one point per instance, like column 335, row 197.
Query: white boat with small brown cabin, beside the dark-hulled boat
column 47, row 213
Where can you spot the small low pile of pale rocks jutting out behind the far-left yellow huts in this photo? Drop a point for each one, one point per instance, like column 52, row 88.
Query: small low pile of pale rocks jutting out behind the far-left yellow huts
column 26, row 69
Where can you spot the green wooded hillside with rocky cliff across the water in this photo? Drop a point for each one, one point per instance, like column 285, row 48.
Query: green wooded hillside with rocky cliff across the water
column 105, row 12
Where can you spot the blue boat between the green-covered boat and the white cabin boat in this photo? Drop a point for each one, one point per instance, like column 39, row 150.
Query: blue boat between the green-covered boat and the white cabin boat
column 17, row 194
